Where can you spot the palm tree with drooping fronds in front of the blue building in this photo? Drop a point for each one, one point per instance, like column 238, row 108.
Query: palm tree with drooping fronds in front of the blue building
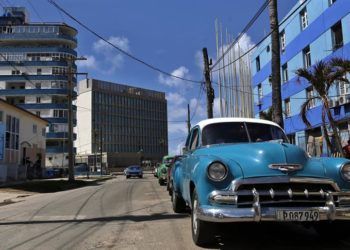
column 321, row 77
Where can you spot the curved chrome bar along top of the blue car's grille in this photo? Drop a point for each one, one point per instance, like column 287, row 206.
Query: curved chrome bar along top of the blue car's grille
column 282, row 179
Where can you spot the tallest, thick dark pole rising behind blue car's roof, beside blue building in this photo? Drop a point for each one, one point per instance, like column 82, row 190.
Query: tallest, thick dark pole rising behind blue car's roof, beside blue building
column 277, row 116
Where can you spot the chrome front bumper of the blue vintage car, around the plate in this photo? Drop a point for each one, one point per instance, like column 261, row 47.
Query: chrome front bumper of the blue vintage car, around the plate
column 214, row 214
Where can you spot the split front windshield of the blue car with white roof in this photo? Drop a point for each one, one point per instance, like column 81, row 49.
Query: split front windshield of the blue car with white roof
column 236, row 132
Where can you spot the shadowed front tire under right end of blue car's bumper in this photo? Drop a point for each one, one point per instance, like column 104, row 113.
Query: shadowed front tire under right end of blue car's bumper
column 334, row 229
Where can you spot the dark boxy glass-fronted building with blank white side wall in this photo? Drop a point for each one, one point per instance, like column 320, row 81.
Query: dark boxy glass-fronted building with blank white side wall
column 129, row 122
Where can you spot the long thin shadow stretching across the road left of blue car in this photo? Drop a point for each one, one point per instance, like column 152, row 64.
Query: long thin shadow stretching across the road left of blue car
column 132, row 218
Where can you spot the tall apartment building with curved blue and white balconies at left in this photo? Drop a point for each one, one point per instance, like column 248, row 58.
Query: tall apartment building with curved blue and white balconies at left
column 33, row 73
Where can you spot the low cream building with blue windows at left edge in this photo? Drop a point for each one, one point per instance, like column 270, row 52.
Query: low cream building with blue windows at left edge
column 22, row 140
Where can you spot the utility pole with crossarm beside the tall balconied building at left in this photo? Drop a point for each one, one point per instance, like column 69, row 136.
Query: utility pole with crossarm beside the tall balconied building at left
column 70, row 118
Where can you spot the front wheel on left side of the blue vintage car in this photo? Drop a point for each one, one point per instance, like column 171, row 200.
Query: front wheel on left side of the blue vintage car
column 202, row 233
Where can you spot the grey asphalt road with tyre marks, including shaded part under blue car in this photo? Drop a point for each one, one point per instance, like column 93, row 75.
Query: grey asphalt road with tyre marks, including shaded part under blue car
column 131, row 214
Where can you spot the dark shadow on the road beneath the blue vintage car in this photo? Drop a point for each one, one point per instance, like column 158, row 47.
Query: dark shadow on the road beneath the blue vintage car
column 275, row 236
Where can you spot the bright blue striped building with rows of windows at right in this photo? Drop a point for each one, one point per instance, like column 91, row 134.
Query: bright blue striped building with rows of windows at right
column 315, row 30
